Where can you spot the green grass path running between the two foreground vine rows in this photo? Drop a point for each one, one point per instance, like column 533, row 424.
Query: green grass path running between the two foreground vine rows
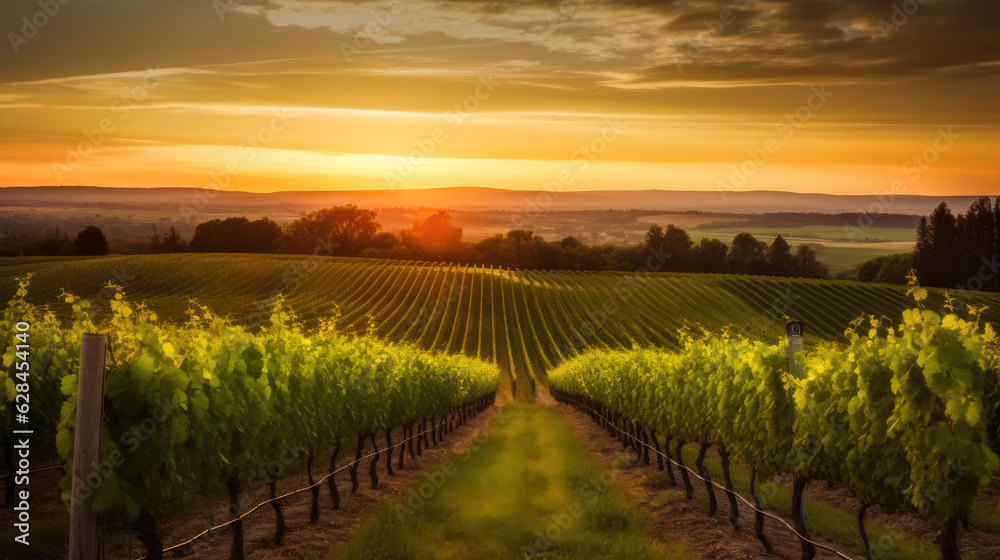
column 527, row 486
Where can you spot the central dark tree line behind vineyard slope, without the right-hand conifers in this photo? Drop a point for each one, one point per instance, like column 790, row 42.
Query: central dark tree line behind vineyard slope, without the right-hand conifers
column 355, row 232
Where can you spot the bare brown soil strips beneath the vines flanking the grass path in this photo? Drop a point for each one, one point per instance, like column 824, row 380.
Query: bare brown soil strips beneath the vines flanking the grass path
column 670, row 517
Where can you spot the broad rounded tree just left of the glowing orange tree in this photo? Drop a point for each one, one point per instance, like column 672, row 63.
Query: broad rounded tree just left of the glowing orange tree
column 340, row 230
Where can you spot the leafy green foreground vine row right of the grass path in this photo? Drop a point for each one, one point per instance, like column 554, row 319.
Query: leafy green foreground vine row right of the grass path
column 900, row 414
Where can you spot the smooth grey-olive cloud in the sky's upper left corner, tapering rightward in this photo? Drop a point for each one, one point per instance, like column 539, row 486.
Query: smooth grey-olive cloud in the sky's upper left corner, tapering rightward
column 106, row 36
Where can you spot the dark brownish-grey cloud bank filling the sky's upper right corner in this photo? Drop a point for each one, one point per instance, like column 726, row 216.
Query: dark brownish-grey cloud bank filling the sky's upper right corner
column 787, row 41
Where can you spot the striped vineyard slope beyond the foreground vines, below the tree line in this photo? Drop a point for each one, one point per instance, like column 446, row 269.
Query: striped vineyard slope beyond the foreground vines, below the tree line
column 528, row 321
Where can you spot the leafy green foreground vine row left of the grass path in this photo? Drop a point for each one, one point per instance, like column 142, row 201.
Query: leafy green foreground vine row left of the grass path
column 205, row 404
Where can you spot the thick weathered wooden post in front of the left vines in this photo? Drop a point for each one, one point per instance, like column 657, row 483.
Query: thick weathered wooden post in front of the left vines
column 86, row 447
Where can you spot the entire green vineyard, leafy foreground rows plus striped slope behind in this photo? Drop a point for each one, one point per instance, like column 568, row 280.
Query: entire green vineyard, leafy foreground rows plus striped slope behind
column 237, row 357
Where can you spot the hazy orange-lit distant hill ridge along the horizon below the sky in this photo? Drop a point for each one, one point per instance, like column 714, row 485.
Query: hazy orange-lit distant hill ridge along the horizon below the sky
column 479, row 198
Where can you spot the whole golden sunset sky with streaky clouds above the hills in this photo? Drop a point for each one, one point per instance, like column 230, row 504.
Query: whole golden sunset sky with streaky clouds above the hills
column 832, row 96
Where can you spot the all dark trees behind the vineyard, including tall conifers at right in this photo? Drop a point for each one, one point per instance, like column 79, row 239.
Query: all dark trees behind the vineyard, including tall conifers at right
column 955, row 252
